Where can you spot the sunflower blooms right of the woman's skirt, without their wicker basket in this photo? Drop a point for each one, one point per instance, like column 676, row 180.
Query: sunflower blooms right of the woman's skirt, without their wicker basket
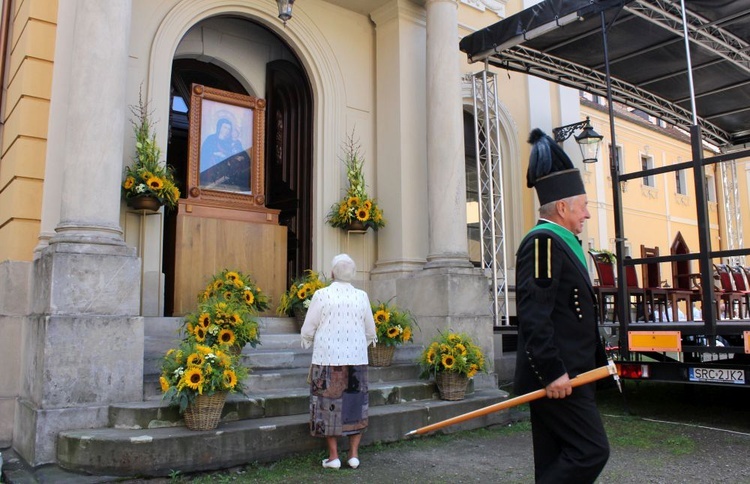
column 452, row 352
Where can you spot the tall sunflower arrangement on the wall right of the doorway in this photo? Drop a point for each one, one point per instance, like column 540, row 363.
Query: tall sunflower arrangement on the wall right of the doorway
column 356, row 206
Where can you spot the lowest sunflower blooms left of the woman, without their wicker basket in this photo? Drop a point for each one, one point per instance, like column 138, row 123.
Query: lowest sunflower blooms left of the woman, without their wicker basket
column 195, row 369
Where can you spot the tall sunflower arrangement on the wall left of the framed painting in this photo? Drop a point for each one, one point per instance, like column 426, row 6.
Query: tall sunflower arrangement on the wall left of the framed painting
column 147, row 176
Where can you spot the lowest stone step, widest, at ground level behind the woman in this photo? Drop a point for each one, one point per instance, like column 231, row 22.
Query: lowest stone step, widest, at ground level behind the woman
column 162, row 451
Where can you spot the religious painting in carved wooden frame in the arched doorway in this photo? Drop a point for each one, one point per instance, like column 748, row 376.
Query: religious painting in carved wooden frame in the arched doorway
column 226, row 147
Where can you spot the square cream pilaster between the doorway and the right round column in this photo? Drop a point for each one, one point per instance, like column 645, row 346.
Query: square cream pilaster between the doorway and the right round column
column 401, row 147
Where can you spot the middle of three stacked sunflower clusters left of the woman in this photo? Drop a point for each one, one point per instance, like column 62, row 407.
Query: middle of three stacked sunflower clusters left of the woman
column 218, row 321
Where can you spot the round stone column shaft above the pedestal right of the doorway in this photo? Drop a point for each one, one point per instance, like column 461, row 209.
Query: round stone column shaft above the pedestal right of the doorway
column 446, row 173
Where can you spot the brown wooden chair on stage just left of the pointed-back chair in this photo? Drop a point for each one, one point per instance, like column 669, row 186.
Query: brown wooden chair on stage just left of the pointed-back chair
column 663, row 297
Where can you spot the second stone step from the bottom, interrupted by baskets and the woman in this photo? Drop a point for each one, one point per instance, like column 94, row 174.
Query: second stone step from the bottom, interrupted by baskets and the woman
column 156, row 413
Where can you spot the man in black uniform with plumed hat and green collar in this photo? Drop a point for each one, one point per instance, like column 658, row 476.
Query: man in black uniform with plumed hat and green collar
column 558, row 337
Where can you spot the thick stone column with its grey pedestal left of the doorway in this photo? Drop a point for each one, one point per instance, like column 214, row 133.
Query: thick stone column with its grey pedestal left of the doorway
column 83, row 342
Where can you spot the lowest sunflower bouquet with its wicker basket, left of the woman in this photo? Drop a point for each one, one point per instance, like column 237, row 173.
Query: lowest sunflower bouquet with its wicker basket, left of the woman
column 196, row 378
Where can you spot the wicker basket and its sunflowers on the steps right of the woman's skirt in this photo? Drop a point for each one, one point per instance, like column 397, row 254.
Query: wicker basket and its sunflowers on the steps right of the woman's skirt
column 452, row 358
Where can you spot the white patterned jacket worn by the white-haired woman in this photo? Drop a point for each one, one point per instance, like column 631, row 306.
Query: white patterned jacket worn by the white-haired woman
column 339, row 325
